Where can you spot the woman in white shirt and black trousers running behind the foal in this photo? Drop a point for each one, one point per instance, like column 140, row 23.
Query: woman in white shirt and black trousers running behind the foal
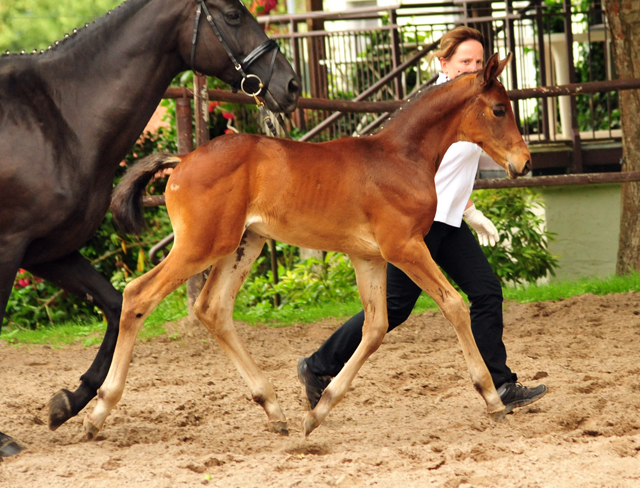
column 453, row 248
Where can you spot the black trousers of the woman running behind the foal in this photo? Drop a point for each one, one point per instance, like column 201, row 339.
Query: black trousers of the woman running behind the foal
column 458, row 253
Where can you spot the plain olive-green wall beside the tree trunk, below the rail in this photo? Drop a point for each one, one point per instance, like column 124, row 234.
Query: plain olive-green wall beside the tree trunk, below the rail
column 587, row 222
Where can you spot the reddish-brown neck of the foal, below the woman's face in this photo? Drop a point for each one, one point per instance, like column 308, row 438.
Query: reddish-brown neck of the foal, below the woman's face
column 428, row 126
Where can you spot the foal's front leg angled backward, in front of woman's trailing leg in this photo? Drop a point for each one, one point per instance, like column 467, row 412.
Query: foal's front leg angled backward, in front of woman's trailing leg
column 371, row 276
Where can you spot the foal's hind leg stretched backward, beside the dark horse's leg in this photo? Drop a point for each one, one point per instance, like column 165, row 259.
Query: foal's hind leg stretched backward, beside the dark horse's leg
column 141, row 296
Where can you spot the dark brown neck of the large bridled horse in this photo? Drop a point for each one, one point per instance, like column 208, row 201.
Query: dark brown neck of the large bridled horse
column 110, row 76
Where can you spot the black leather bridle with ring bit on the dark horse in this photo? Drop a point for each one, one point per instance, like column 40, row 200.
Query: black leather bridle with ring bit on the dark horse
column 241, row 67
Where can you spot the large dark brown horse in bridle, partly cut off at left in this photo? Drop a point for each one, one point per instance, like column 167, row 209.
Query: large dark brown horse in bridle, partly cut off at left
column 68, row 116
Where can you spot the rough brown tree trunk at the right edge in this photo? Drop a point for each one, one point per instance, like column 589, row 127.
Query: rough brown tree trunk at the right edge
column 624, row 22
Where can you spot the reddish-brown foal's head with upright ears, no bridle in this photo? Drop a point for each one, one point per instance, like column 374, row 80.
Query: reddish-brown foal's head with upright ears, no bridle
column 490, row 123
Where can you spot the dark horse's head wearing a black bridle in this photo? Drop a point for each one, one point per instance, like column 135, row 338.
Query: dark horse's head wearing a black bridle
column 224, row 38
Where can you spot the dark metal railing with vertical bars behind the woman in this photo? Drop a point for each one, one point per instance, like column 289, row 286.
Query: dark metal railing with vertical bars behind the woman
column 353, row 55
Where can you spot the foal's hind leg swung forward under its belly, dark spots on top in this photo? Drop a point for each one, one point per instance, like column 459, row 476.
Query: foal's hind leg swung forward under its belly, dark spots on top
column 214, row 308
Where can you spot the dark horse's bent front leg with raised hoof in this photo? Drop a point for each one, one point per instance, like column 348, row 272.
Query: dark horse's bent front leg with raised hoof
column 76, row 275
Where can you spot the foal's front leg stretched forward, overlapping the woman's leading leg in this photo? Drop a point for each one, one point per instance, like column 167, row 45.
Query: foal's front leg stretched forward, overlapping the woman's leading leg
column 415, row 260
